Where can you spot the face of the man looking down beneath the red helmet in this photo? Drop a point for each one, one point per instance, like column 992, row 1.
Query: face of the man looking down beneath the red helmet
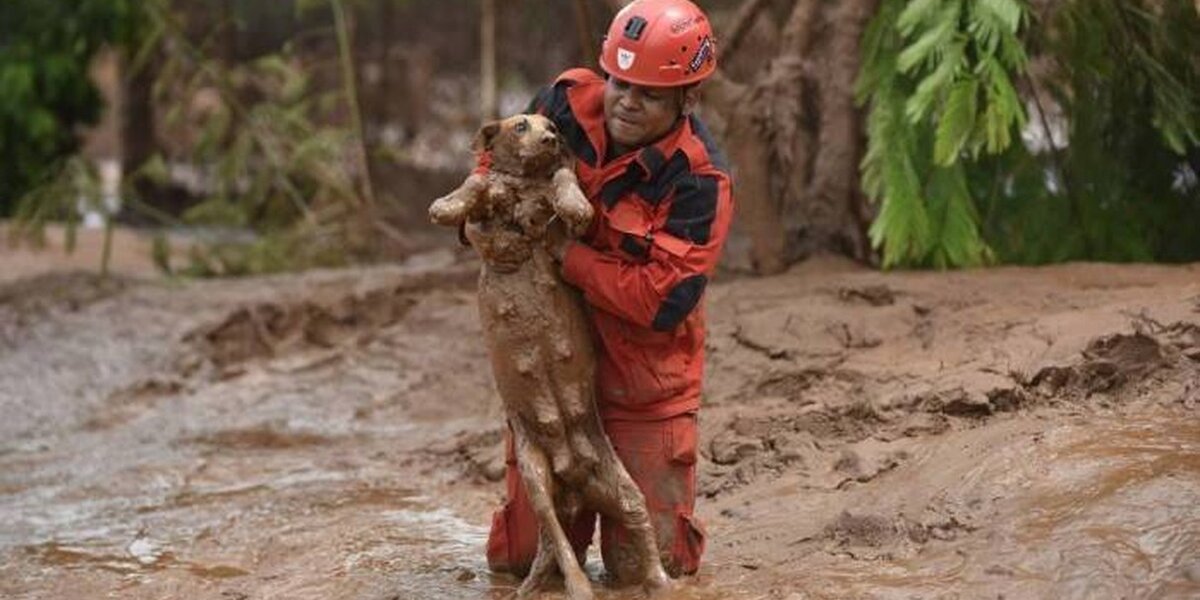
column 637, row 116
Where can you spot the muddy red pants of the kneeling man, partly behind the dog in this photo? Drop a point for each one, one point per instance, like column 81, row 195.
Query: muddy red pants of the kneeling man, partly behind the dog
column 662, row 459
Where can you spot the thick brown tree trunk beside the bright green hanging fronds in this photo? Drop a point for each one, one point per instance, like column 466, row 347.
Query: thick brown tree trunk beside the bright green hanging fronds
column 795, row 137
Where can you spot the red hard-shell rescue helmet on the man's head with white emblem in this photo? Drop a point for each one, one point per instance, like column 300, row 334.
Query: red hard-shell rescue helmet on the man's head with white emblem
column 659, row 44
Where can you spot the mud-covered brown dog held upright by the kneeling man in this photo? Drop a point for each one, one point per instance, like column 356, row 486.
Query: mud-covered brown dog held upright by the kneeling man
column 541, row 346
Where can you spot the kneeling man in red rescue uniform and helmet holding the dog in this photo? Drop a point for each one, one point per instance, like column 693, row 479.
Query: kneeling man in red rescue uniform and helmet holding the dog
column 663, row 201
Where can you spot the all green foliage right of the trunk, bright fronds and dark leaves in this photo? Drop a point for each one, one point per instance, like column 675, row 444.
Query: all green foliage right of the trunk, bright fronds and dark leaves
column 946, row 82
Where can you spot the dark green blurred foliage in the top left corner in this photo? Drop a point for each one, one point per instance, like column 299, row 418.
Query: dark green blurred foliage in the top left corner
column 46, row 50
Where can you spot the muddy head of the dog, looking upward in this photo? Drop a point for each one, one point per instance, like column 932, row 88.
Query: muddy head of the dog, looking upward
column 523, row 146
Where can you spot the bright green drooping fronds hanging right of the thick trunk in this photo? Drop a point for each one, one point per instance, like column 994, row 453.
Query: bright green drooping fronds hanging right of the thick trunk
column 938, row 79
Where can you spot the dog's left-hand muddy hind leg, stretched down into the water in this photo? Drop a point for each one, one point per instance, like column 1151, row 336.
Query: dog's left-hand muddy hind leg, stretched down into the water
column 536, row 472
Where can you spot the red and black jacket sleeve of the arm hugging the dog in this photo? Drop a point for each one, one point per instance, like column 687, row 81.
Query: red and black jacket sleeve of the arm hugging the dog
column 683, row 254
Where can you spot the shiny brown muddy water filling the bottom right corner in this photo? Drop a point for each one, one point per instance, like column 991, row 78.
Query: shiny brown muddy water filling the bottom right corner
column 1107, row 508
